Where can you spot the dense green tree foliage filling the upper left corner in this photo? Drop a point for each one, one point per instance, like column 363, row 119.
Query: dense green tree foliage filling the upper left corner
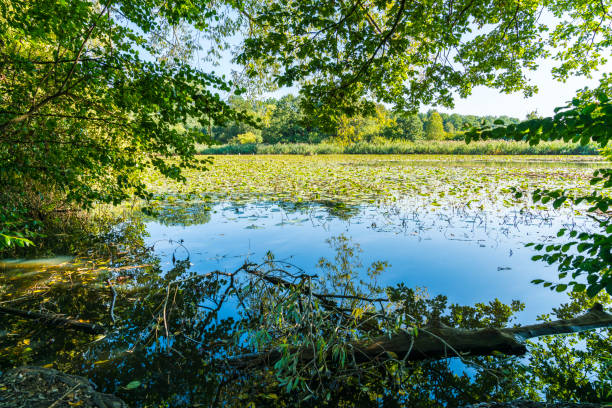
column 90, row 102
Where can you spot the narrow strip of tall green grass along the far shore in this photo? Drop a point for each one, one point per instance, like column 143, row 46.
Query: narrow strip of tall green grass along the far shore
column 492, row 147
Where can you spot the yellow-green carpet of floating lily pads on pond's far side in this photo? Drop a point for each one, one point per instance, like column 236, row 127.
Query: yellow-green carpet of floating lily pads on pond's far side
column 344, row 180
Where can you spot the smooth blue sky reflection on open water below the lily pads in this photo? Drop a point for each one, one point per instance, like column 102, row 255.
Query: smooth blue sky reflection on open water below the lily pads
column 466, row 254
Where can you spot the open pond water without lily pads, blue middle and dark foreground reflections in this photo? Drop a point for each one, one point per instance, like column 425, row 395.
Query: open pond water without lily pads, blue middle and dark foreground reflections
column 178, row 305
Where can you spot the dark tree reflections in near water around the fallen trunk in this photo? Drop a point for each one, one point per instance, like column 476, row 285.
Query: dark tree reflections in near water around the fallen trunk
column 186, row 337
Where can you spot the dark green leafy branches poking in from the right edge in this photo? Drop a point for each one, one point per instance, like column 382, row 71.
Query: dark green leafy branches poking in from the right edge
column 587, row 255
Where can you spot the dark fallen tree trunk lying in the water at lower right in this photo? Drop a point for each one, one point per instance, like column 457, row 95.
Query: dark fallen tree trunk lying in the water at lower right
column 443, row 342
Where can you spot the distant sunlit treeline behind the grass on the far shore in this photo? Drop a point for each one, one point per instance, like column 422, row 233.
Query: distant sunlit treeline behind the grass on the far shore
column 284, row 120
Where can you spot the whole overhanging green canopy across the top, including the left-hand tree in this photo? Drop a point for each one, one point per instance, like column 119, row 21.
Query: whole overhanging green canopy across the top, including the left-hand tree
column 88, row 103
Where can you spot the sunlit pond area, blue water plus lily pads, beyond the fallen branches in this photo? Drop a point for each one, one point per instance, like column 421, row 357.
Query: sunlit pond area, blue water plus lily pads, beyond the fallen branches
column 448, row 225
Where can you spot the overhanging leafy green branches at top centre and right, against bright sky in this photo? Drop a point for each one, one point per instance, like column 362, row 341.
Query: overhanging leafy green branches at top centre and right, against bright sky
column 409, row 54
